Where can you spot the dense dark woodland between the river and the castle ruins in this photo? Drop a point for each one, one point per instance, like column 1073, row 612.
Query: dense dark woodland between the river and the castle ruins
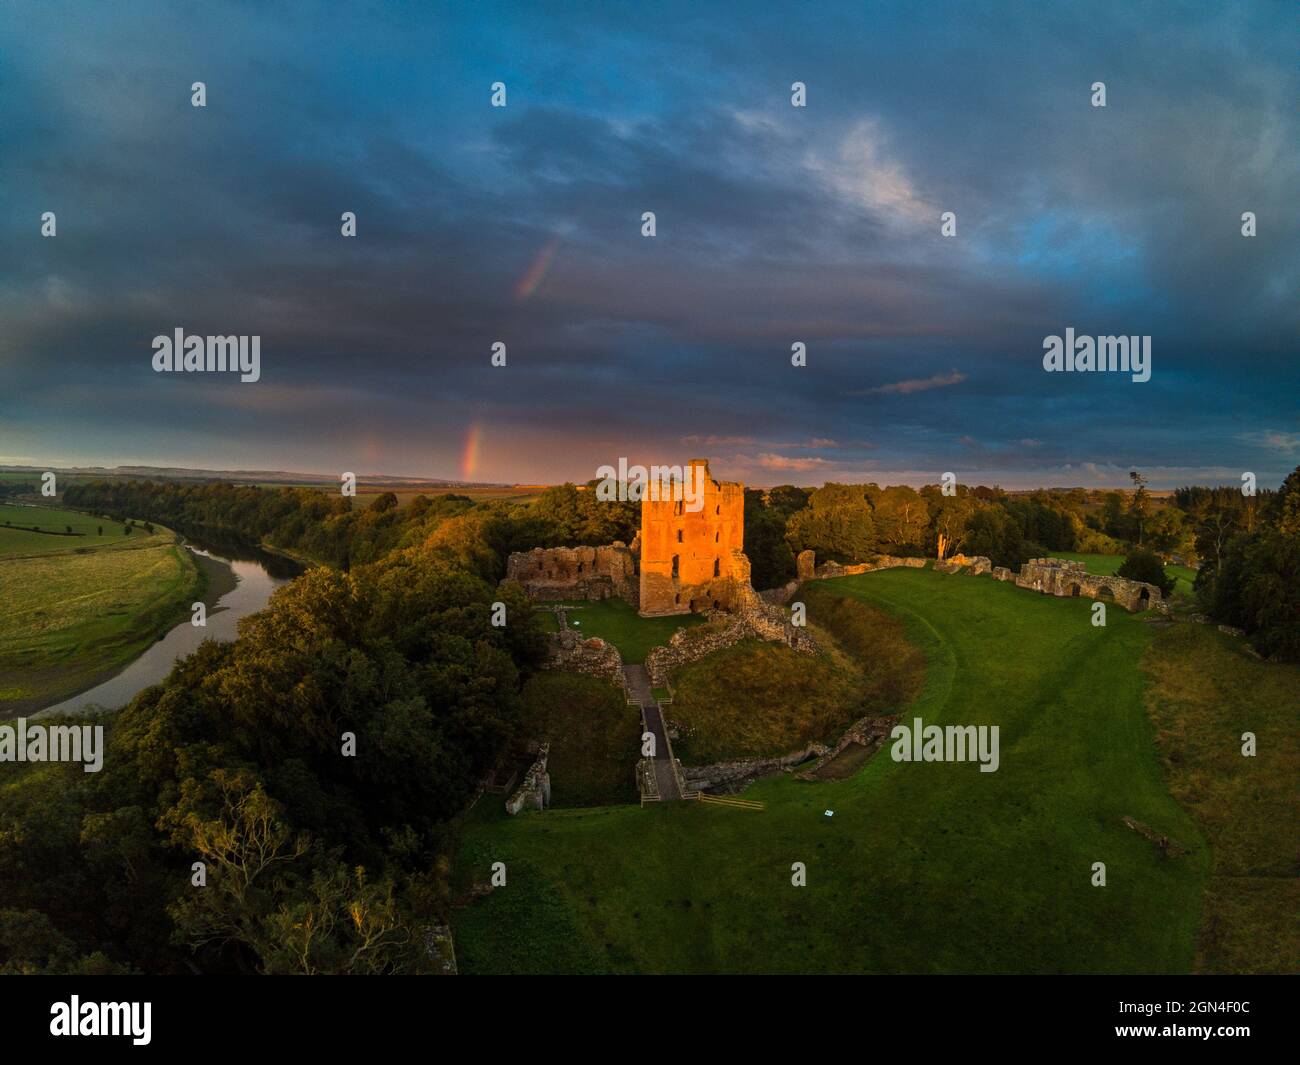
column 318, row 859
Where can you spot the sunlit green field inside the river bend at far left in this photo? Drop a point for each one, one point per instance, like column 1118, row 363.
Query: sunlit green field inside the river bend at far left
column 76, row 609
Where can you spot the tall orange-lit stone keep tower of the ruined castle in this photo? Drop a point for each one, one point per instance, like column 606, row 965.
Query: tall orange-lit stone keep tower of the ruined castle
column 694, row 561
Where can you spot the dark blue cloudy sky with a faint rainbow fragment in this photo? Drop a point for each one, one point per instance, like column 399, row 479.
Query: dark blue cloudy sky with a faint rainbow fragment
column 774, row 226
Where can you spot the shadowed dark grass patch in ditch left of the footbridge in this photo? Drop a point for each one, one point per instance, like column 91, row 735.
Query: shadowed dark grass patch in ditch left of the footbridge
column 595, row 738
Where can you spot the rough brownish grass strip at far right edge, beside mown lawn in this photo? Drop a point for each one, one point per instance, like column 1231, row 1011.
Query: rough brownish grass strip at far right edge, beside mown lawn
column 1204, row 694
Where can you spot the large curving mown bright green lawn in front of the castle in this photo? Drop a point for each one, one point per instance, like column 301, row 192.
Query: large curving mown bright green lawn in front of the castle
column 925, row 868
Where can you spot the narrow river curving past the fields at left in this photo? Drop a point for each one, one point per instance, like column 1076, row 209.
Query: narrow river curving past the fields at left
column 257, row 574
